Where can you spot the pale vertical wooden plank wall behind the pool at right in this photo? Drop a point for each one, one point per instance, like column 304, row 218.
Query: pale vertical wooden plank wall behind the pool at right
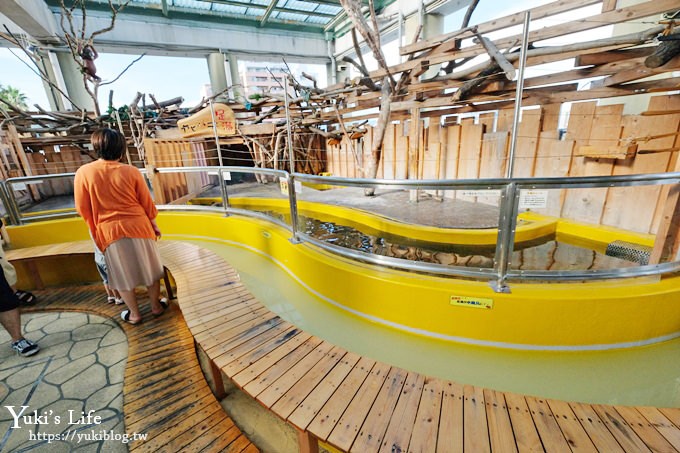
column 474, row 149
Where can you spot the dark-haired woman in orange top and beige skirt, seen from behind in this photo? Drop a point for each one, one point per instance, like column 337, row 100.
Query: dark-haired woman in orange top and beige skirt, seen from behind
column 114, row 200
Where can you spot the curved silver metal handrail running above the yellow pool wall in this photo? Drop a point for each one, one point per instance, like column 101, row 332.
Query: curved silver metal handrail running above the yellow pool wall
column 509, row 191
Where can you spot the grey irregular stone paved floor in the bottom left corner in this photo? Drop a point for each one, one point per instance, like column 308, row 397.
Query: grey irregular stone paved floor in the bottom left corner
column 79, row 370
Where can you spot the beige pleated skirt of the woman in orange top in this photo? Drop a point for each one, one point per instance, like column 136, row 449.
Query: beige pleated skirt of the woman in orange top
column 133, row 262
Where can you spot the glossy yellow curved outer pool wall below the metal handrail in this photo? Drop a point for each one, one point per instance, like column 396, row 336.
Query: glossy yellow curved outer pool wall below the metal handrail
column 569, row 316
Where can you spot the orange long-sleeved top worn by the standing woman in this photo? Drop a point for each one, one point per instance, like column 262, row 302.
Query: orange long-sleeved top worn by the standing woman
column 114, row 201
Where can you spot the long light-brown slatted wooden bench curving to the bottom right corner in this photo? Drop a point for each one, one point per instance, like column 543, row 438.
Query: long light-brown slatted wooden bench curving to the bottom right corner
column 358, row 404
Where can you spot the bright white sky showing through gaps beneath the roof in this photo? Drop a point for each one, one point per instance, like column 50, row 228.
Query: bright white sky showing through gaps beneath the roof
column 168, row 77
